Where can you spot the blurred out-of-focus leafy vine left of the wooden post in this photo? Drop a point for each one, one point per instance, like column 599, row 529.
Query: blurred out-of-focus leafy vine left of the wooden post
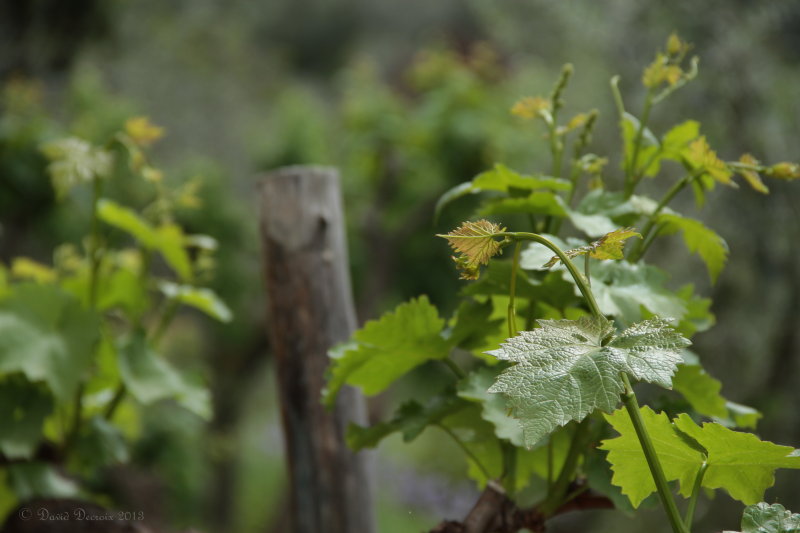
column 79, row 348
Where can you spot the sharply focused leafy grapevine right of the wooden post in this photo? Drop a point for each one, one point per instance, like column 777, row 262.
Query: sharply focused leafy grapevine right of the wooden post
column 545, row 346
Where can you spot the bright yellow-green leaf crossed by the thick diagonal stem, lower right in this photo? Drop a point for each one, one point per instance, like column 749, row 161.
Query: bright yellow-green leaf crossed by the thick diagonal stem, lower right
column 679, row 459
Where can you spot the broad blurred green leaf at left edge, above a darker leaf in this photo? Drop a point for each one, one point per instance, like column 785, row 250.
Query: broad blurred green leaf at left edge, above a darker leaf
column 47, row 335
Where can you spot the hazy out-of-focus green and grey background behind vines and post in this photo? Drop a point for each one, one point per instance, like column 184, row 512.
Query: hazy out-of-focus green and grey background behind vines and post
column 407, row 99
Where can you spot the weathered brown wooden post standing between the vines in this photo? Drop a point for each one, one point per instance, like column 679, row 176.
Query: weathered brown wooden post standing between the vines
column 310, row 308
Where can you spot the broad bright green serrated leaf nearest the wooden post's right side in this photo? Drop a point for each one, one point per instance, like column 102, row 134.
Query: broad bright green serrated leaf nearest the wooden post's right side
column 385, row 349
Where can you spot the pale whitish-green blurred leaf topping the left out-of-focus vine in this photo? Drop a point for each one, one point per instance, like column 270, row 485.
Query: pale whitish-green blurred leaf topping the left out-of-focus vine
column 74, row 161
